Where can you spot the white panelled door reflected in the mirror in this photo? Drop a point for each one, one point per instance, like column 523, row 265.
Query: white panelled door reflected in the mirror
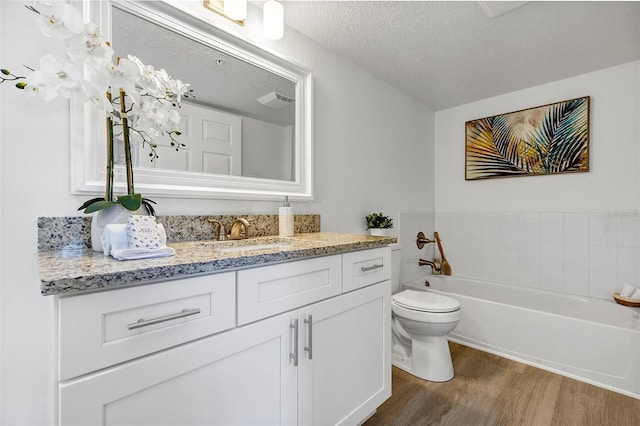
column 213, row 142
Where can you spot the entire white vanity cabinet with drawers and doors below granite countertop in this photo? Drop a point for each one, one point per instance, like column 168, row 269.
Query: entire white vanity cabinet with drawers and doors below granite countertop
column 312, row 354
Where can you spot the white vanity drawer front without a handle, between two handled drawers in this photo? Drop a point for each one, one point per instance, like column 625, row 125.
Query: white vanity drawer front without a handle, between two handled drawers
column 269, row 290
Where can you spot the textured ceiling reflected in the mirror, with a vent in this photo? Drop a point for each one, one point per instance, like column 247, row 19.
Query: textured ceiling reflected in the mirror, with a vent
column 218, row 80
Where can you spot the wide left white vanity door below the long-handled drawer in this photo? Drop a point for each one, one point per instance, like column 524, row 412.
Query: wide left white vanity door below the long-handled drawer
column 240, row 377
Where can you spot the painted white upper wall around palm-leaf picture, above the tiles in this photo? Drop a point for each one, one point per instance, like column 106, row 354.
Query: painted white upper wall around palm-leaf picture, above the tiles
column 612, row 181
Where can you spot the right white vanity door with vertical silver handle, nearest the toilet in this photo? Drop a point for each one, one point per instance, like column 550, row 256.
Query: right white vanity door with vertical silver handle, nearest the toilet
column 345, row 349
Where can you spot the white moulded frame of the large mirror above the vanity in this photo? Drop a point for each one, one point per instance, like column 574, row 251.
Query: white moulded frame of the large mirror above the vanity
column 88, row 129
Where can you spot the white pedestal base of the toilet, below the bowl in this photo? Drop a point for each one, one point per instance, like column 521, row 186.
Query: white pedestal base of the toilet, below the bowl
column 430, row 359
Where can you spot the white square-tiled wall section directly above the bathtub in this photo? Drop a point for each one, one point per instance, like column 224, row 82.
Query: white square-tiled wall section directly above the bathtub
column 589, row 254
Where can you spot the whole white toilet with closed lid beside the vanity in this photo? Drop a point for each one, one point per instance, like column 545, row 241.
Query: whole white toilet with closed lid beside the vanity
column 421, row 319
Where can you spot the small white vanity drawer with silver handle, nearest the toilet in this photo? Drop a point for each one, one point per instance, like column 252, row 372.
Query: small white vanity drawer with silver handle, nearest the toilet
column 366, row 267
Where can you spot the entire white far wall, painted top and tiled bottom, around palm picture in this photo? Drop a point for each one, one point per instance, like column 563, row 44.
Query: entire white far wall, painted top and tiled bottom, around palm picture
column 572, row 233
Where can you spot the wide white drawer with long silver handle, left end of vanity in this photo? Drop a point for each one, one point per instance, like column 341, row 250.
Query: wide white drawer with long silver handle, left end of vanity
column 101, row 329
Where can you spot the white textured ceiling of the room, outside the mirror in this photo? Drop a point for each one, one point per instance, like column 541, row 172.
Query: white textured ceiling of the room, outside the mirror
column 448, row 53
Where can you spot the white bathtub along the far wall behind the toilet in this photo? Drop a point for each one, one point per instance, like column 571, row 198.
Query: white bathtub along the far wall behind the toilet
column 591, row 340
